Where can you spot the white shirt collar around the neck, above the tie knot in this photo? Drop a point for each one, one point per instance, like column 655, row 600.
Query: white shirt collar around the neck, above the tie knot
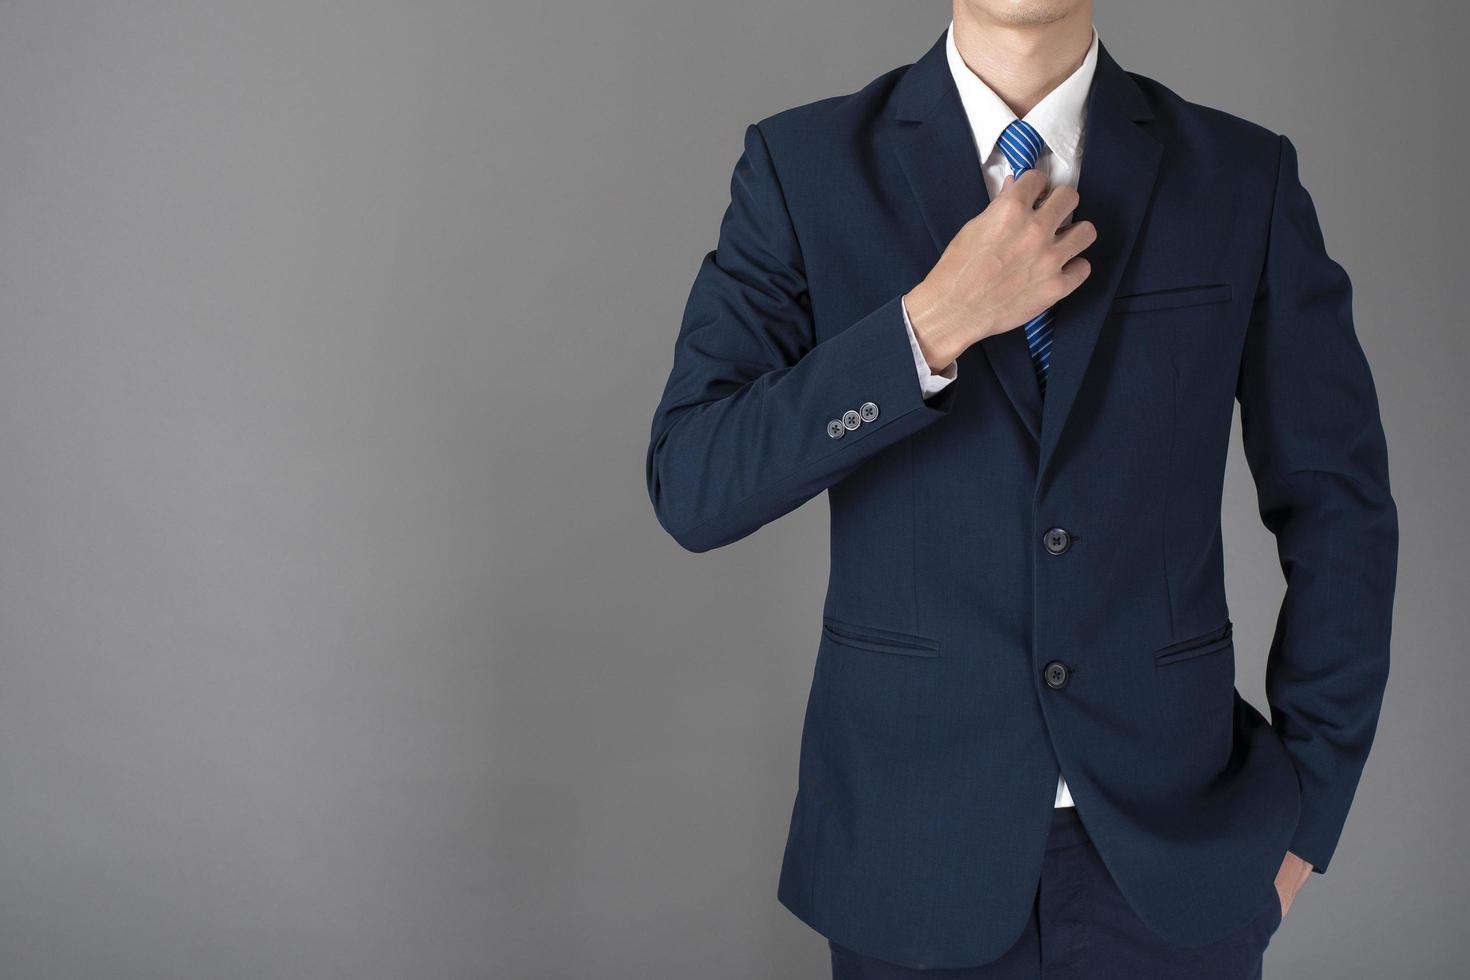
column 1059, row 117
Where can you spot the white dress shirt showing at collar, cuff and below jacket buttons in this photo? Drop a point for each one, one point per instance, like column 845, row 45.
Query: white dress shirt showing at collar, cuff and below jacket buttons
column 1061, row 120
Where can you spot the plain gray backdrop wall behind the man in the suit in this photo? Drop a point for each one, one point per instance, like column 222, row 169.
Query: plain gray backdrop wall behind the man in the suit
column 337, row 637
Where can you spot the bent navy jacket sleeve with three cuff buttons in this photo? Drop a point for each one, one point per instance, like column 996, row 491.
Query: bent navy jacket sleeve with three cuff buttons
column 740, row 436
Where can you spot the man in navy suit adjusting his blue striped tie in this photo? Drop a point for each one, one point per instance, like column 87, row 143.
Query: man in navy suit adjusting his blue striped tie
column 1000, row 305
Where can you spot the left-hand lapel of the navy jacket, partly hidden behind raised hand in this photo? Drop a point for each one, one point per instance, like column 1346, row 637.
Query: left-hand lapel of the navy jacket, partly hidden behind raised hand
column 937, row 154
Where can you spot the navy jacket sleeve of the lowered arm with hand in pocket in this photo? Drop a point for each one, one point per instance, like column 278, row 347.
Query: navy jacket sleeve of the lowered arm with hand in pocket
column 1316, row 449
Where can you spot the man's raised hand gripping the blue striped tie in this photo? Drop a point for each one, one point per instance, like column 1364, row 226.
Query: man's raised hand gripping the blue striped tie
column 1005, row 267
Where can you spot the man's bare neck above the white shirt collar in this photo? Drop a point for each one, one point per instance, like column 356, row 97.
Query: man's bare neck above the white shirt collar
column 1022, row 62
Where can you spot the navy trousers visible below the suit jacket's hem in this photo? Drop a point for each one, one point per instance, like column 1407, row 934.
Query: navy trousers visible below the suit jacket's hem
column 1081, row 928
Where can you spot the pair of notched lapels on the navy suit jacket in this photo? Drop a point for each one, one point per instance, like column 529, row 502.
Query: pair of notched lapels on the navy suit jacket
column 1119, row 167
